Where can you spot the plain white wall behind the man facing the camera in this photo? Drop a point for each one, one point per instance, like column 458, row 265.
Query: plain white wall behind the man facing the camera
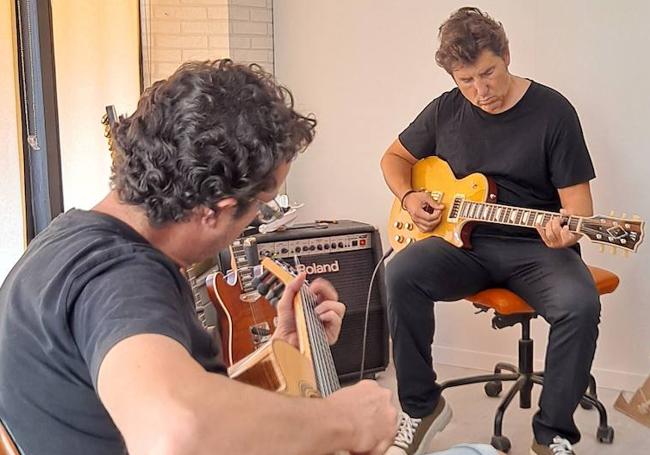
column 366, row 68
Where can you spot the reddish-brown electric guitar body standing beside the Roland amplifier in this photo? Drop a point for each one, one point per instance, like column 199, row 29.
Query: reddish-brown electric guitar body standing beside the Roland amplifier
column 246, row 320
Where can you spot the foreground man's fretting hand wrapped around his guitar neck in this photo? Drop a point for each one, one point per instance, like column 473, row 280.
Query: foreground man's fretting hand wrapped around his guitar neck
column 328, row 308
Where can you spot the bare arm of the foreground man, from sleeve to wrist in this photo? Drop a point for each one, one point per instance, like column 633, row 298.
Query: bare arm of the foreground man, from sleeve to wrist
column 184, row 410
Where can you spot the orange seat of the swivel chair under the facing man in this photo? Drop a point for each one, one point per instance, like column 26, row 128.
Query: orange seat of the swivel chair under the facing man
column 507, row 302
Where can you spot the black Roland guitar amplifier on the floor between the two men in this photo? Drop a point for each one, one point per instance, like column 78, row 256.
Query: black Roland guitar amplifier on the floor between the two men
column 345, row 253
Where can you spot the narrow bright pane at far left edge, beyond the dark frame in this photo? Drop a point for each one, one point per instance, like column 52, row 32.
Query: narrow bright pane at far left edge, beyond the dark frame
column 12, row 220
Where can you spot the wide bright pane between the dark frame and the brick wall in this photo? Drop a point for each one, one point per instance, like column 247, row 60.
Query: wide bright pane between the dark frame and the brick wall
column 96, row 51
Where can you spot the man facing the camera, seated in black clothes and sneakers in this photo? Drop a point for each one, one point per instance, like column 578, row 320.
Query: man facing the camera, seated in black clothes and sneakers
column 528, row 139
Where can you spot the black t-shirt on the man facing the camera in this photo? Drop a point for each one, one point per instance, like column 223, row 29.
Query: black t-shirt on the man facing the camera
column 529, row 151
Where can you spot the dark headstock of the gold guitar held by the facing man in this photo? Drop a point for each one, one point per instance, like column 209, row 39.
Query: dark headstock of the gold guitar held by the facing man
column 626, row 234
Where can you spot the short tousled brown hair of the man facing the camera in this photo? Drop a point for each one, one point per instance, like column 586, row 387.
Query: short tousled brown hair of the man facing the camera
column 467, row 33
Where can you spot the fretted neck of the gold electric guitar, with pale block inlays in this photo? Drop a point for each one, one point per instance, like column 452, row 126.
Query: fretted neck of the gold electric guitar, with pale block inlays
column 486, row 212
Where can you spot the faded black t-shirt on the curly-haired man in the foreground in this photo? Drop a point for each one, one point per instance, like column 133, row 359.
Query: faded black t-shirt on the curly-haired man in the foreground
column 85, row 283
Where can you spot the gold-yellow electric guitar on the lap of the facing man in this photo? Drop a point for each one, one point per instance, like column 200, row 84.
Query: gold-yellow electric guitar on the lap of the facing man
column 472, row 200
